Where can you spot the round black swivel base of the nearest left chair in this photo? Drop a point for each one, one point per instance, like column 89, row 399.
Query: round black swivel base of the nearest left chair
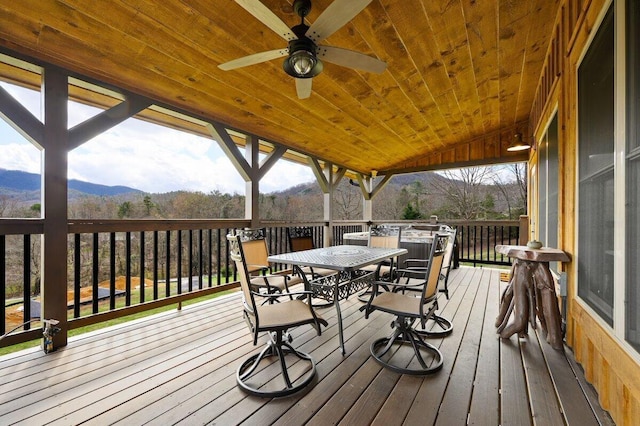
column 279, row 348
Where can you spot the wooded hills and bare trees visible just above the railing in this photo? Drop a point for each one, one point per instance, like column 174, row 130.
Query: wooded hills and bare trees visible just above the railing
column 472, row 193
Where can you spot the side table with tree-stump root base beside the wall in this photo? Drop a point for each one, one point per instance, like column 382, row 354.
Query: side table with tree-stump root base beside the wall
column 531, row 292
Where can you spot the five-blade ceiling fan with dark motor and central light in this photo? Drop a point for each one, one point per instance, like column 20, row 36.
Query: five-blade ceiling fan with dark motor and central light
column 303, row 53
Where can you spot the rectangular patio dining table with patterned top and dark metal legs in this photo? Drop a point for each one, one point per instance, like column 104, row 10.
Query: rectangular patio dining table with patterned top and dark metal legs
column 347, row 261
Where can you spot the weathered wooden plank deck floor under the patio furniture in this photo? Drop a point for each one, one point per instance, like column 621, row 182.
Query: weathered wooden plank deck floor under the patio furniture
column 179, row 368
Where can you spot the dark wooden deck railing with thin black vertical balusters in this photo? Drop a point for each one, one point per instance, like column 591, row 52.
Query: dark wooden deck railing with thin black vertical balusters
column 129, row 266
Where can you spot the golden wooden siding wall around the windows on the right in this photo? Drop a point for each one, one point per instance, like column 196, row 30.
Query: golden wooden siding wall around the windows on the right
column 614, row 373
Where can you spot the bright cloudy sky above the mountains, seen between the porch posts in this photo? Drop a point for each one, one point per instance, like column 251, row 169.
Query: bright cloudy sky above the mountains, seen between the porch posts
column 141, row 155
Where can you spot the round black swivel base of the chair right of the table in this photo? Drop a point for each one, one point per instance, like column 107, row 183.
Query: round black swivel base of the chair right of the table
column 405, row 334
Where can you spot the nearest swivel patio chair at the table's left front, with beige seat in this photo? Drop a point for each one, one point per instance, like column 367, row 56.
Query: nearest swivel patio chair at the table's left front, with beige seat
column 275, row 319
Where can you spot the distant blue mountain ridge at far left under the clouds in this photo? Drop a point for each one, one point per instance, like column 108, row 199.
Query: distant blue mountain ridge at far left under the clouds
column 15, row 182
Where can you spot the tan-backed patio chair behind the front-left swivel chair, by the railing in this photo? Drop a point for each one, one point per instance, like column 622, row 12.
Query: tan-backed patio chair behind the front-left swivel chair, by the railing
column 256, row 252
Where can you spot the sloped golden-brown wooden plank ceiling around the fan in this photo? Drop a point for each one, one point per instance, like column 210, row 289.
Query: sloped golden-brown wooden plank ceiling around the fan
column 461, row 75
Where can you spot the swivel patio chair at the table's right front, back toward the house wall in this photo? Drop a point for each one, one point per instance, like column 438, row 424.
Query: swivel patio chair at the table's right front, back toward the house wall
column 412, row 309
